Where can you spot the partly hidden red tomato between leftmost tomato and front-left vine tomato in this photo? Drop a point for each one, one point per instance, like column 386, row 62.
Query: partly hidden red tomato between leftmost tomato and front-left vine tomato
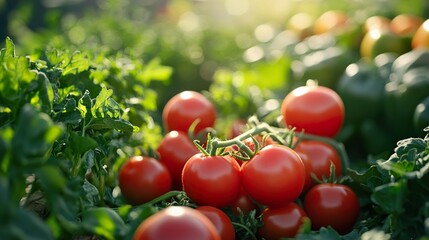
column 174, row 150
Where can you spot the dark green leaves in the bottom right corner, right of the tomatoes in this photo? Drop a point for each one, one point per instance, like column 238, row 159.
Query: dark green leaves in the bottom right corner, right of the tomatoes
column 394, row 192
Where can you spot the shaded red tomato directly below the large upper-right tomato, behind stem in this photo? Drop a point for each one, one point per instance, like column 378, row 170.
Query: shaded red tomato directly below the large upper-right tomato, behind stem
column 319, row 156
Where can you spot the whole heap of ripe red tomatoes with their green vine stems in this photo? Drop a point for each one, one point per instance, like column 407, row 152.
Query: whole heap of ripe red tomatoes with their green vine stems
column 254, row 171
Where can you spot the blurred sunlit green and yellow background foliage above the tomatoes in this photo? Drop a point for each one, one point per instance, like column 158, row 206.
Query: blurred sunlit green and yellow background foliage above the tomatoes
column 247, row 54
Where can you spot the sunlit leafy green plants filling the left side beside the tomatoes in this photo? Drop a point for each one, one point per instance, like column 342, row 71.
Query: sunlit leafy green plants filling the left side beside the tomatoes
column 64, row 133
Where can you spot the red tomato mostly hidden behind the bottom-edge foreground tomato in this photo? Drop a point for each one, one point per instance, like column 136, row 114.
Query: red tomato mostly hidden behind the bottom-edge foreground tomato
column 220, row 220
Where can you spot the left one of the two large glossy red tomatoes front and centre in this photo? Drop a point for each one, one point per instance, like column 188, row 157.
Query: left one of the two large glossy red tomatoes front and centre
column 211, row 180
